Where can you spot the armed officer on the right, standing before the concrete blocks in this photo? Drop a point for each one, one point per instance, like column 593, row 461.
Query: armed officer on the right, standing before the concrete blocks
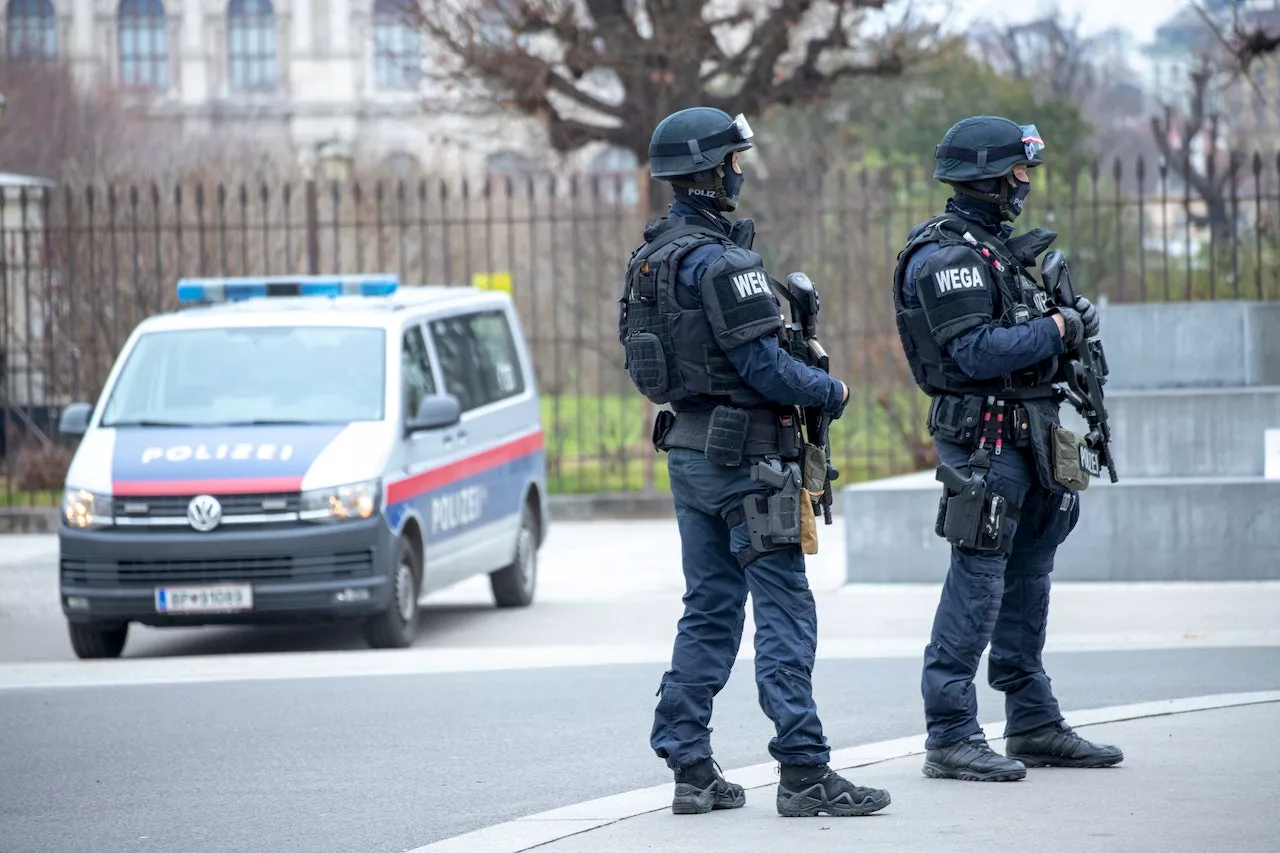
column 984, row 341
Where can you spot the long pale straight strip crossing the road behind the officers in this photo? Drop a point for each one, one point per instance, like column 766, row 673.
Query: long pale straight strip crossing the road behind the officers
column 441, row 662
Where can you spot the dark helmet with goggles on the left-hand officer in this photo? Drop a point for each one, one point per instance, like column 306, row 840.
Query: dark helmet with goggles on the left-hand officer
column 696, row 140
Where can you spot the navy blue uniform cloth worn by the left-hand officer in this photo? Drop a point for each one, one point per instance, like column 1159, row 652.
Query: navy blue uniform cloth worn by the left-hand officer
column 711, row 630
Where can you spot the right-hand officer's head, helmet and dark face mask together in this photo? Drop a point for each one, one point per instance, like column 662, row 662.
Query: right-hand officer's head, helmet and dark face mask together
column 979, row 156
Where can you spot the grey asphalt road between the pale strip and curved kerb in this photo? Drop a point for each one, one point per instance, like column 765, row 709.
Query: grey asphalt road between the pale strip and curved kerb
column 385, row 764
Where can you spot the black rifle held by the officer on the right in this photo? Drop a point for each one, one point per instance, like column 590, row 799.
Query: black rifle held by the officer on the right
column 1085, row 371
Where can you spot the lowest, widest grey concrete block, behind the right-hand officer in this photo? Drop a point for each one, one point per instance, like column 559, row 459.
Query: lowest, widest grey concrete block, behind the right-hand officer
column 1139, row 530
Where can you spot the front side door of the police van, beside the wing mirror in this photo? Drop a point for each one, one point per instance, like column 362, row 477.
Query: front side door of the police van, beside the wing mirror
column 422, row 460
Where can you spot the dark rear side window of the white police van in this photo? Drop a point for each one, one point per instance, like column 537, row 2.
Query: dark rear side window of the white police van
column 478, row 358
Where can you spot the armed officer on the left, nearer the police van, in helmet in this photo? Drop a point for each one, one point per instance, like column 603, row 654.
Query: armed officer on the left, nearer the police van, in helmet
column 701, row 330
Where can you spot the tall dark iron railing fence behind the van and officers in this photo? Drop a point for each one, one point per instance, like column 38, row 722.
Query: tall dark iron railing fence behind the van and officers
column 83, row 266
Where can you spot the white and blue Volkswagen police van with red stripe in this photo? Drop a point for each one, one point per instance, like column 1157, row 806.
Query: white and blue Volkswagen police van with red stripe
column 304, row 449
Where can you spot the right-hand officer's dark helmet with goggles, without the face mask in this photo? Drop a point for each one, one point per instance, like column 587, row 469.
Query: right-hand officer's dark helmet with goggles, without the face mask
column 986, row 147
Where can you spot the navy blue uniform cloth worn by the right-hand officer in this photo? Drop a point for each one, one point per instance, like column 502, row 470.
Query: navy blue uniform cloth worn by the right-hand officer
column 989, row 597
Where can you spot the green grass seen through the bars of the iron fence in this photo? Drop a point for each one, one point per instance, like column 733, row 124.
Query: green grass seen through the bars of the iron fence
column 600, row 444
